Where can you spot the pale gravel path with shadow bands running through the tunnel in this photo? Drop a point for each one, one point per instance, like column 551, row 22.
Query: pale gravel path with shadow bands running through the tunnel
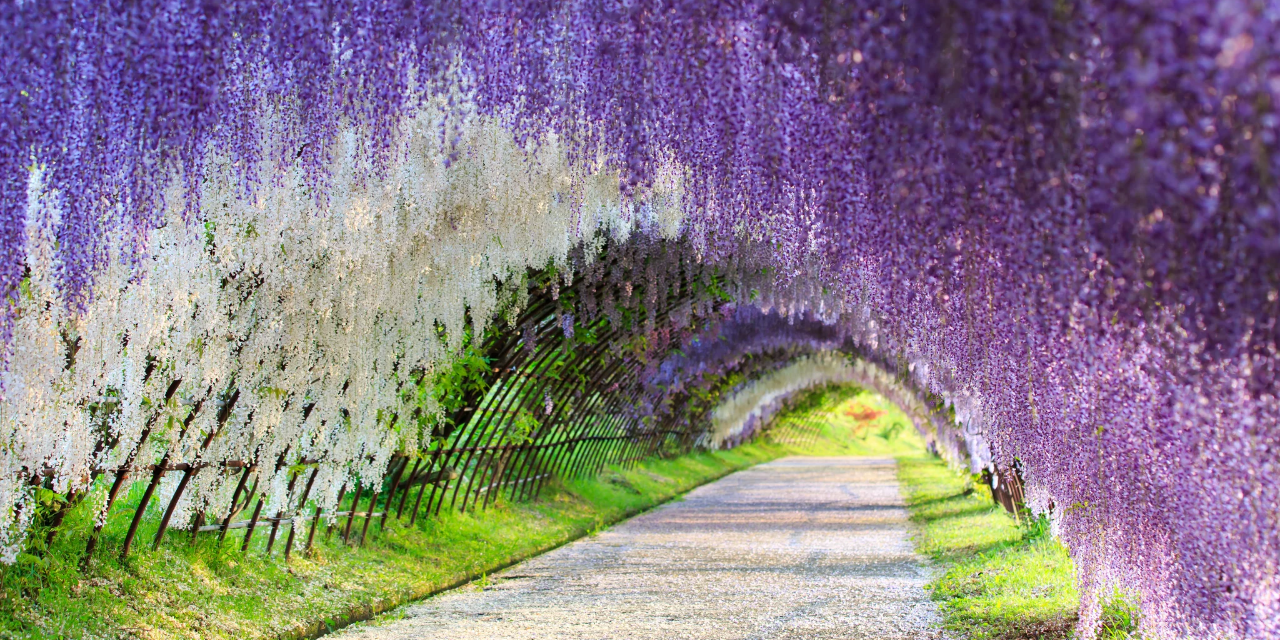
column 798, row 548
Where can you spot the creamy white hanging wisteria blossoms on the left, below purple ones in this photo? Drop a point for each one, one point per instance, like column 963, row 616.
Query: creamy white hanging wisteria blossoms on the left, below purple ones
column 316, row 316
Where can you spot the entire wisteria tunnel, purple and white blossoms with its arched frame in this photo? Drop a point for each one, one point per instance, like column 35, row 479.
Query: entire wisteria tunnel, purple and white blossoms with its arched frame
column 285, row 272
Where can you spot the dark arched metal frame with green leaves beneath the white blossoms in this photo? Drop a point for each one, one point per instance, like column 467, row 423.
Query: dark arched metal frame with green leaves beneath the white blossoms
column 582, row 399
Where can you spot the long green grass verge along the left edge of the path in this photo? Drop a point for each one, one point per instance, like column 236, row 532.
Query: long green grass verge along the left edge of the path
column 216, row 592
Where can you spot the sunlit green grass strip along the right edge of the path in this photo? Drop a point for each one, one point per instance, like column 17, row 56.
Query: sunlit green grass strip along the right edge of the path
column 1000, row 579
